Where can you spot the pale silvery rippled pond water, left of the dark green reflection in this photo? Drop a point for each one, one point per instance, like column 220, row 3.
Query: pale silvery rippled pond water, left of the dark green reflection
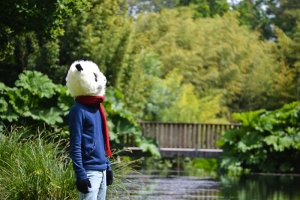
column 171, row 187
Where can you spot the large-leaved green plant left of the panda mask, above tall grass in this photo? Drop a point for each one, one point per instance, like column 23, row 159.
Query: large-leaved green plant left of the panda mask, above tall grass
column 33, row 98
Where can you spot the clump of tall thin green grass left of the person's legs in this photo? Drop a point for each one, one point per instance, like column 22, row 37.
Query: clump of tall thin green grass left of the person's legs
column 34, row 169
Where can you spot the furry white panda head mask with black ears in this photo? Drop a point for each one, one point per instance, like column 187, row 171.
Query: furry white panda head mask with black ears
column 85, row 79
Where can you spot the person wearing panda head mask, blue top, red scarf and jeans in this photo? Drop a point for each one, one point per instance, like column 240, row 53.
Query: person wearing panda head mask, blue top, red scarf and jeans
column 89, row 142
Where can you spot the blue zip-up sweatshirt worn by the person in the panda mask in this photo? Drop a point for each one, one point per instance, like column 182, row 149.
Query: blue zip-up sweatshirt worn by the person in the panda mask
column 86, row 140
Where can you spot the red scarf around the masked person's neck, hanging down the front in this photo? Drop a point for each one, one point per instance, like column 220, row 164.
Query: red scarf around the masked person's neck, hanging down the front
column 94, row 100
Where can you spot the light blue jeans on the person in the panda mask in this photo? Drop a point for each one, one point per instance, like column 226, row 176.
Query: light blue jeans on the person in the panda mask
column 98, row 189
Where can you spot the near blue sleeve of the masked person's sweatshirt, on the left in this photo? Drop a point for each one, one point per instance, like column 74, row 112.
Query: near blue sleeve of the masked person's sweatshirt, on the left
column 76, row 118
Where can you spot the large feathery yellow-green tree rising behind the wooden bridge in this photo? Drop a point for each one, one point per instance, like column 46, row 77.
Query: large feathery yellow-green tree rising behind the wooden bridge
column 216, row 55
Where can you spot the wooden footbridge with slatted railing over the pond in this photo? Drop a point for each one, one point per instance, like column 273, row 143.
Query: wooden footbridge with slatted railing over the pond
column 185, row 139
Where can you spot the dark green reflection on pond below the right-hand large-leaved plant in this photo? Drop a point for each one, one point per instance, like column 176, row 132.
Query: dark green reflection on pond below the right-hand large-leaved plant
column 261, row 187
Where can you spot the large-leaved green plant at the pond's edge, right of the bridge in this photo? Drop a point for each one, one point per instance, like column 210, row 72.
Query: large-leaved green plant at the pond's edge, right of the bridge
column 267, row 141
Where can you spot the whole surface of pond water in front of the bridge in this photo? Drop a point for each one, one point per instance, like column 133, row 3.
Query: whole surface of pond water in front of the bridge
column 172, row 186
